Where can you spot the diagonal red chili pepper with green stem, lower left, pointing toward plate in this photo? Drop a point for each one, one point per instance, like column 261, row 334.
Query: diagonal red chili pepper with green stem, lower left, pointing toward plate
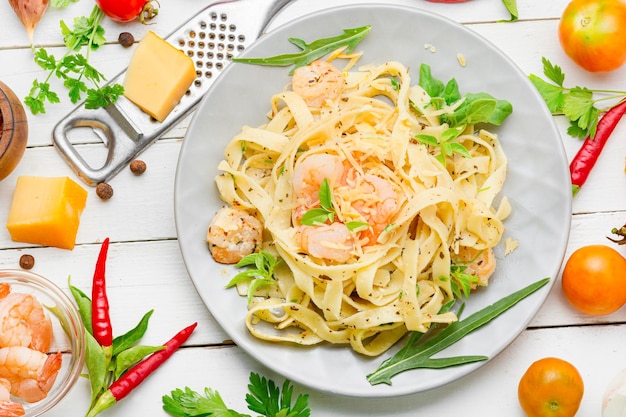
column 138, row 373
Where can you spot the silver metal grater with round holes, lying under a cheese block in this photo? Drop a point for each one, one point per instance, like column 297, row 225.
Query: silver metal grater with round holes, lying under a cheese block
column 211, row 38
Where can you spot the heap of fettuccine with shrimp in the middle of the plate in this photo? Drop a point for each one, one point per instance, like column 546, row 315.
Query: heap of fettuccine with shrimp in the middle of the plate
column 379, row 214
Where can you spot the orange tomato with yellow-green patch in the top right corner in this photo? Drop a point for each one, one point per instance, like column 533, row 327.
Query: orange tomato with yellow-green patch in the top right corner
column 591, row 33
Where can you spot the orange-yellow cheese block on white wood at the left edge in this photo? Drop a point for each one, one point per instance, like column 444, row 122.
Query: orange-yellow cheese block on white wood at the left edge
column 46, row 211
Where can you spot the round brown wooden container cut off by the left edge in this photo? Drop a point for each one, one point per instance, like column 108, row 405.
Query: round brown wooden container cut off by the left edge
column 13, row 131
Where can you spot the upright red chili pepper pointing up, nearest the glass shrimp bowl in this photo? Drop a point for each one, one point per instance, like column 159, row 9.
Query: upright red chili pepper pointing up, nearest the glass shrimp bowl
column 100, row 318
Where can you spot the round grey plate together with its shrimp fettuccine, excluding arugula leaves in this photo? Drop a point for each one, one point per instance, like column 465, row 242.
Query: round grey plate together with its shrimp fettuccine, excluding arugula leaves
column 324, row 213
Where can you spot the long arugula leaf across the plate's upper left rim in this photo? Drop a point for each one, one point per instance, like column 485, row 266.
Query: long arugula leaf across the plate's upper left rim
column 311, row 51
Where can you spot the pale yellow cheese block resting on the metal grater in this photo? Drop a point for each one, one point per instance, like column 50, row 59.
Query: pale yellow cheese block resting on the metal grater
column 158, row 76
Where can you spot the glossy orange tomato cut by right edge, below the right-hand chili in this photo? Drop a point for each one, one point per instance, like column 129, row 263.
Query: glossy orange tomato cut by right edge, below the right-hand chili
column 594, row 280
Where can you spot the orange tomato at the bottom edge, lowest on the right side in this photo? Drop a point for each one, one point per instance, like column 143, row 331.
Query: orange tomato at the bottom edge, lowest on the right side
column 550, row 387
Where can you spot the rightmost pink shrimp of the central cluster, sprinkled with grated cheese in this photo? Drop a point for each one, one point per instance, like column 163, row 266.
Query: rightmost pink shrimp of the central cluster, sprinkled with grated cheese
column 379, row 207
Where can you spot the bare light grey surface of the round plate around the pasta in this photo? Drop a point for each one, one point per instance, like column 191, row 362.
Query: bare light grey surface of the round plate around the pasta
column 537, row 185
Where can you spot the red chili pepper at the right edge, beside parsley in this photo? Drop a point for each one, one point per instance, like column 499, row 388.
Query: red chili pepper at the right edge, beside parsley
column 588, row 154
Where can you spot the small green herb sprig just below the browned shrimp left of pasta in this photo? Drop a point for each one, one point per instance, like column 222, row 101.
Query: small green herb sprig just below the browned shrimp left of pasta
column 262, row 275
